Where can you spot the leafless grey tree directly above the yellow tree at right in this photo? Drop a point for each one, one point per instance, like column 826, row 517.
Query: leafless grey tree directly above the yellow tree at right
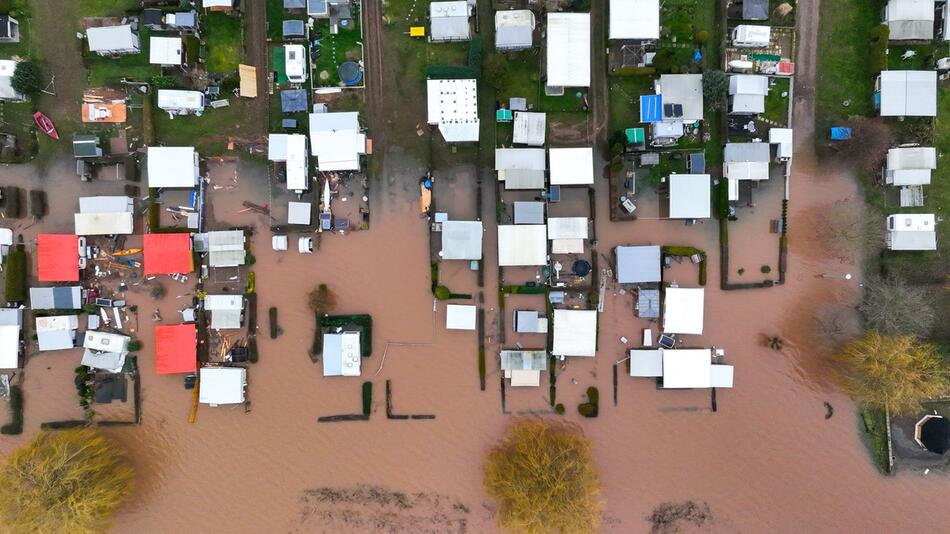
column 896, row 309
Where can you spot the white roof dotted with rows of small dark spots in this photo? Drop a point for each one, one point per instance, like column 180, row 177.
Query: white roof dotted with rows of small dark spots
column 453, row 106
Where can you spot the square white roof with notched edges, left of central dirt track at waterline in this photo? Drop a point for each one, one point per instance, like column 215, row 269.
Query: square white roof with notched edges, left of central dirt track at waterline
column 336, row 141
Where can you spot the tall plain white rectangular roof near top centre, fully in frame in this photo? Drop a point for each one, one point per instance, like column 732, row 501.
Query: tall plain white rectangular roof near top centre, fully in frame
column 568, row 50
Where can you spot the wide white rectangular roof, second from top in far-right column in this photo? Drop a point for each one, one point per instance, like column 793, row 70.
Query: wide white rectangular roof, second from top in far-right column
column 908, row 93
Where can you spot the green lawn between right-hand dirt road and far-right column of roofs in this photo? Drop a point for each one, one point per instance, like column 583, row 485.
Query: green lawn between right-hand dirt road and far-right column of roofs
column 844, row 72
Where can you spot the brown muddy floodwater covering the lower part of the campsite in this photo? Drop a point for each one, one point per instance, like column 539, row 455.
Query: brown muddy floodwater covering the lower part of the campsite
column 766, row 461
